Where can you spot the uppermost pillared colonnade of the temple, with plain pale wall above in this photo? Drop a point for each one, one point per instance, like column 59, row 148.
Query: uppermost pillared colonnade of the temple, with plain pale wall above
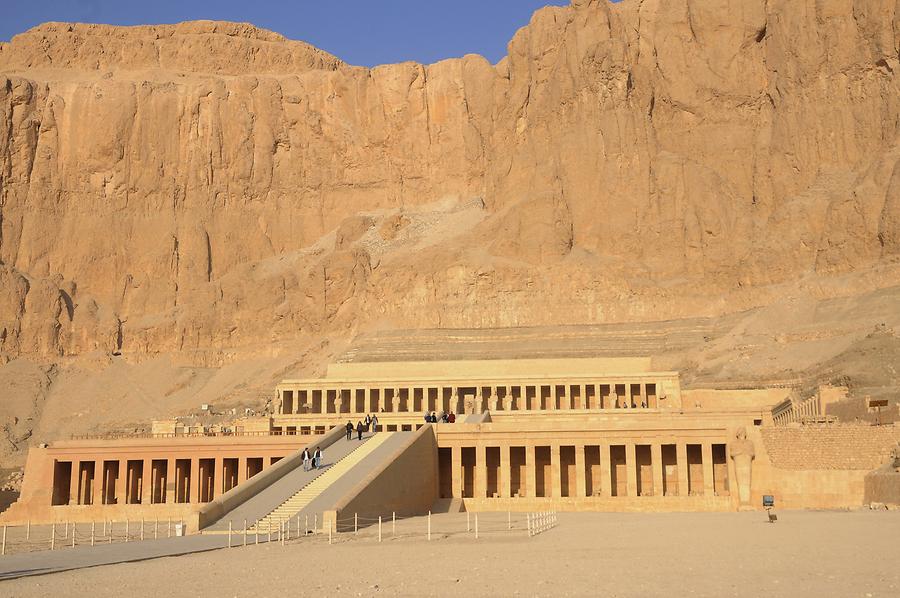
column 471, row 387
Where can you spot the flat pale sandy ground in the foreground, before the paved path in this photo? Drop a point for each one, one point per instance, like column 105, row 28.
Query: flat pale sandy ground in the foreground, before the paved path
column 721, row 554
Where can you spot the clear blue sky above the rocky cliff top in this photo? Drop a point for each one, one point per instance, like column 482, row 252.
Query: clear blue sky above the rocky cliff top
column 362, row 32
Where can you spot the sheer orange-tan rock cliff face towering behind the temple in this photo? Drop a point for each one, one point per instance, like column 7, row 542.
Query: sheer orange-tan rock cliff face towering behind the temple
column 208, row 187
